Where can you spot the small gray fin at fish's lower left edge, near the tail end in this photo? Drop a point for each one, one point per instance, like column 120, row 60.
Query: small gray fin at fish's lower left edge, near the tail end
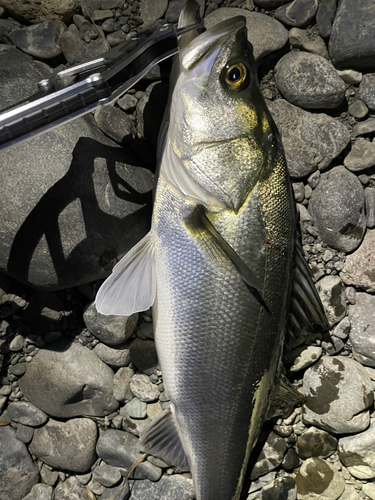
column 160, row 438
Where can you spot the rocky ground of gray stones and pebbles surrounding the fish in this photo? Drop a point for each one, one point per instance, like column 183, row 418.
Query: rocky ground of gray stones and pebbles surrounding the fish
column 76, row 388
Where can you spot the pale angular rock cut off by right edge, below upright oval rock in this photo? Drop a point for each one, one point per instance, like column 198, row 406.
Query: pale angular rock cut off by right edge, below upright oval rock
column 359, row 269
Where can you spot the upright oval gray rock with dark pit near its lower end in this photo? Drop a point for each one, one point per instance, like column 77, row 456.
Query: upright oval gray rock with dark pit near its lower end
column 337, row 206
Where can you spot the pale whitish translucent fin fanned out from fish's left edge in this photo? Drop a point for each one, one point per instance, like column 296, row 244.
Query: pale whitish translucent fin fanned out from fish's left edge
column 132, row 285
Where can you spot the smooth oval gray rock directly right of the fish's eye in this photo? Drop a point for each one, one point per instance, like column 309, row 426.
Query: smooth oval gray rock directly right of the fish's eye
column 309, row 81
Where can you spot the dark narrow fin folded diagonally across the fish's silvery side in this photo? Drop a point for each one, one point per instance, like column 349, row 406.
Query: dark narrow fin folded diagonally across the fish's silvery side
column 199, row 224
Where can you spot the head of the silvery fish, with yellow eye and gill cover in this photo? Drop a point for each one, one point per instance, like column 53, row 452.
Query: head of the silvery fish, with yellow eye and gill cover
column 220, row 127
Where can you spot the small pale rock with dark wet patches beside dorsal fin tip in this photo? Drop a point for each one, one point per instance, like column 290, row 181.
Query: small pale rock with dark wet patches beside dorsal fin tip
column 332, row 294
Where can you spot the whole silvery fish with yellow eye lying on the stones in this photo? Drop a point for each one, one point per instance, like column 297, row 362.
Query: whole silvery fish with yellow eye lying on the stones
column 220, row 266
